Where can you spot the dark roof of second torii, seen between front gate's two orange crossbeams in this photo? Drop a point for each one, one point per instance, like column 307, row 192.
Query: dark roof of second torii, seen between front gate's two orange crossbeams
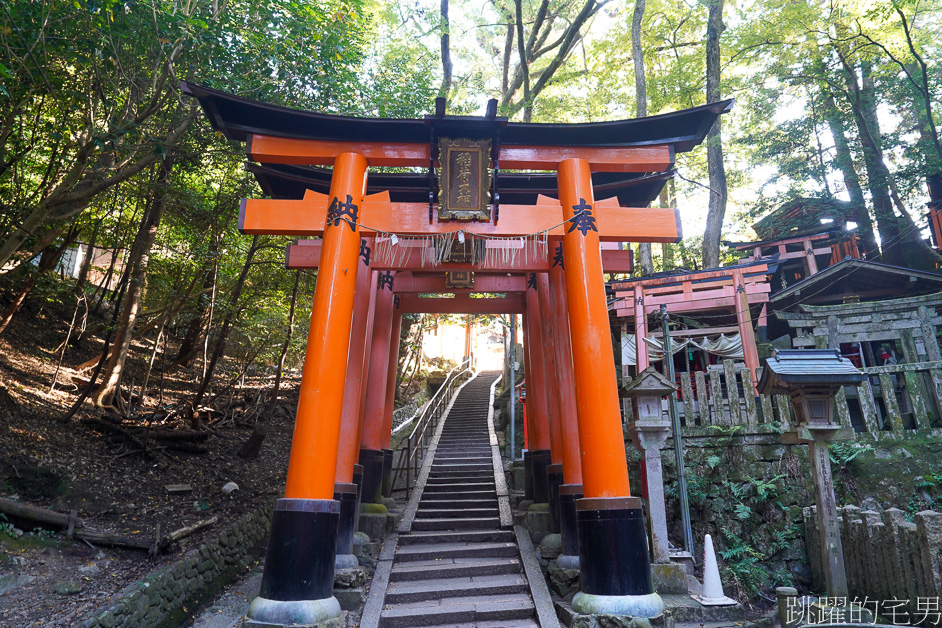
column 290, row 182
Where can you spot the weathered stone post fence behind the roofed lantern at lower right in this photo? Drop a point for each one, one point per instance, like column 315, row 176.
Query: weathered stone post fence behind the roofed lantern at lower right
column 887, row 556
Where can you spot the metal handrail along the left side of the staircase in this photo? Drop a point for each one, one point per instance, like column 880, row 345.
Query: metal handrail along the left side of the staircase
column 411, row 451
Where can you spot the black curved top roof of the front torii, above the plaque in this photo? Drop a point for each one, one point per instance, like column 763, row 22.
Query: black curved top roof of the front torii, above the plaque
column 237, row 118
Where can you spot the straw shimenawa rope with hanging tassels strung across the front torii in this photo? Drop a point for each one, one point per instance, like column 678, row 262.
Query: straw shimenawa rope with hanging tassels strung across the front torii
column 393, row 249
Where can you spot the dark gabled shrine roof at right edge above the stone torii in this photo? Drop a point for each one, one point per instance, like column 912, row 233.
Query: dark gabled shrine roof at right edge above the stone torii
column 853, row 276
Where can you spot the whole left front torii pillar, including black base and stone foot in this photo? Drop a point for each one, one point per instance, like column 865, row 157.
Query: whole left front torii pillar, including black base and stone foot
column 298, row 579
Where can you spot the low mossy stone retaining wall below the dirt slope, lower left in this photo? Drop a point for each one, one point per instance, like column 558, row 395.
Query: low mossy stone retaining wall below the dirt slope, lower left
column 170, row 593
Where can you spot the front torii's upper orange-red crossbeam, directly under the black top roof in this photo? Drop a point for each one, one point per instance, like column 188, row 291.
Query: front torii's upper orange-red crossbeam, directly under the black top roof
column 281, row 150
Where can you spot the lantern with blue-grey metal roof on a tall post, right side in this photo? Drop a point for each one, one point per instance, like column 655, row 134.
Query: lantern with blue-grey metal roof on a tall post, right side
column 811, row 379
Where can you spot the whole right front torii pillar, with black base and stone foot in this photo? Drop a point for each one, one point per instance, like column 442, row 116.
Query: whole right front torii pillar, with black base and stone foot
column 613, row 547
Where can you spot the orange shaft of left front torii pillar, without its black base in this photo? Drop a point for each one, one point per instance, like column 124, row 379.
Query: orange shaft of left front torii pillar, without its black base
column 313, row 459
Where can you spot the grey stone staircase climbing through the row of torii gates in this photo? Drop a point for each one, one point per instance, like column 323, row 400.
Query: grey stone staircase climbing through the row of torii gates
column 456, row 565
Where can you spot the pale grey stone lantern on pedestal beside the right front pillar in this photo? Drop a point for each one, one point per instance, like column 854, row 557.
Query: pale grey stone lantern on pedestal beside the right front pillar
column 649, row 431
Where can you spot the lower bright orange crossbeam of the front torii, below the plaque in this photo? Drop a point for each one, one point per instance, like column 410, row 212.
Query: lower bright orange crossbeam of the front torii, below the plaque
column 306, row 218
